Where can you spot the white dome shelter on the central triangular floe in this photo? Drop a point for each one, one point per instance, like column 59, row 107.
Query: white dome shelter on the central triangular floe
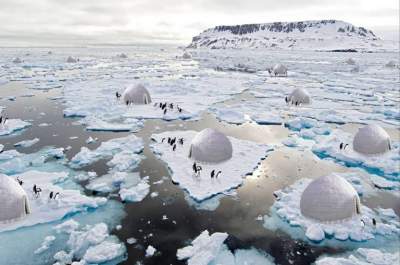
column 210, row 146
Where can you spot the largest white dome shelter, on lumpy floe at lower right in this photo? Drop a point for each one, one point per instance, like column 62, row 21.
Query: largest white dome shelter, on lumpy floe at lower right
column 330, row 198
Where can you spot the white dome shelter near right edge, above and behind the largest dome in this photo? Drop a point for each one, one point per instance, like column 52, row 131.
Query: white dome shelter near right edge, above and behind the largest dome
column 371, row 139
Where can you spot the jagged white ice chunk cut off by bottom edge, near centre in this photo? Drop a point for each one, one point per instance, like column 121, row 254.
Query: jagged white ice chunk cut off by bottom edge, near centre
column 203, row 249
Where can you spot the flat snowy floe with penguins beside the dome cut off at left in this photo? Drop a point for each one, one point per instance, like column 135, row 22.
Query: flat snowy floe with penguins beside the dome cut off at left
column 45, row 210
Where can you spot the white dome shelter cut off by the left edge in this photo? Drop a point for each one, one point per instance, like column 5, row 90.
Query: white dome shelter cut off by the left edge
column 14, row 201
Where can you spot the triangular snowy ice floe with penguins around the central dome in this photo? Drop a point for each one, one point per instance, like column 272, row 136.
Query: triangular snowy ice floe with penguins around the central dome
column 245, row 158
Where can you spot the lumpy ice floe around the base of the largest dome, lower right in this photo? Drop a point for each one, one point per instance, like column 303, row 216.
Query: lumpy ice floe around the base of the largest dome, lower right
column 359, row 228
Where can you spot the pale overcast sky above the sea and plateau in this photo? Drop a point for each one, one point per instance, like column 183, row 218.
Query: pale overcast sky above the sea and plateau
column 80, row 22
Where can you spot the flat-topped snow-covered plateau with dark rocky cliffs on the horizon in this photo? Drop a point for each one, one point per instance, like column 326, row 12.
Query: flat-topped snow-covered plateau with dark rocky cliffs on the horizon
column 317, row 35
